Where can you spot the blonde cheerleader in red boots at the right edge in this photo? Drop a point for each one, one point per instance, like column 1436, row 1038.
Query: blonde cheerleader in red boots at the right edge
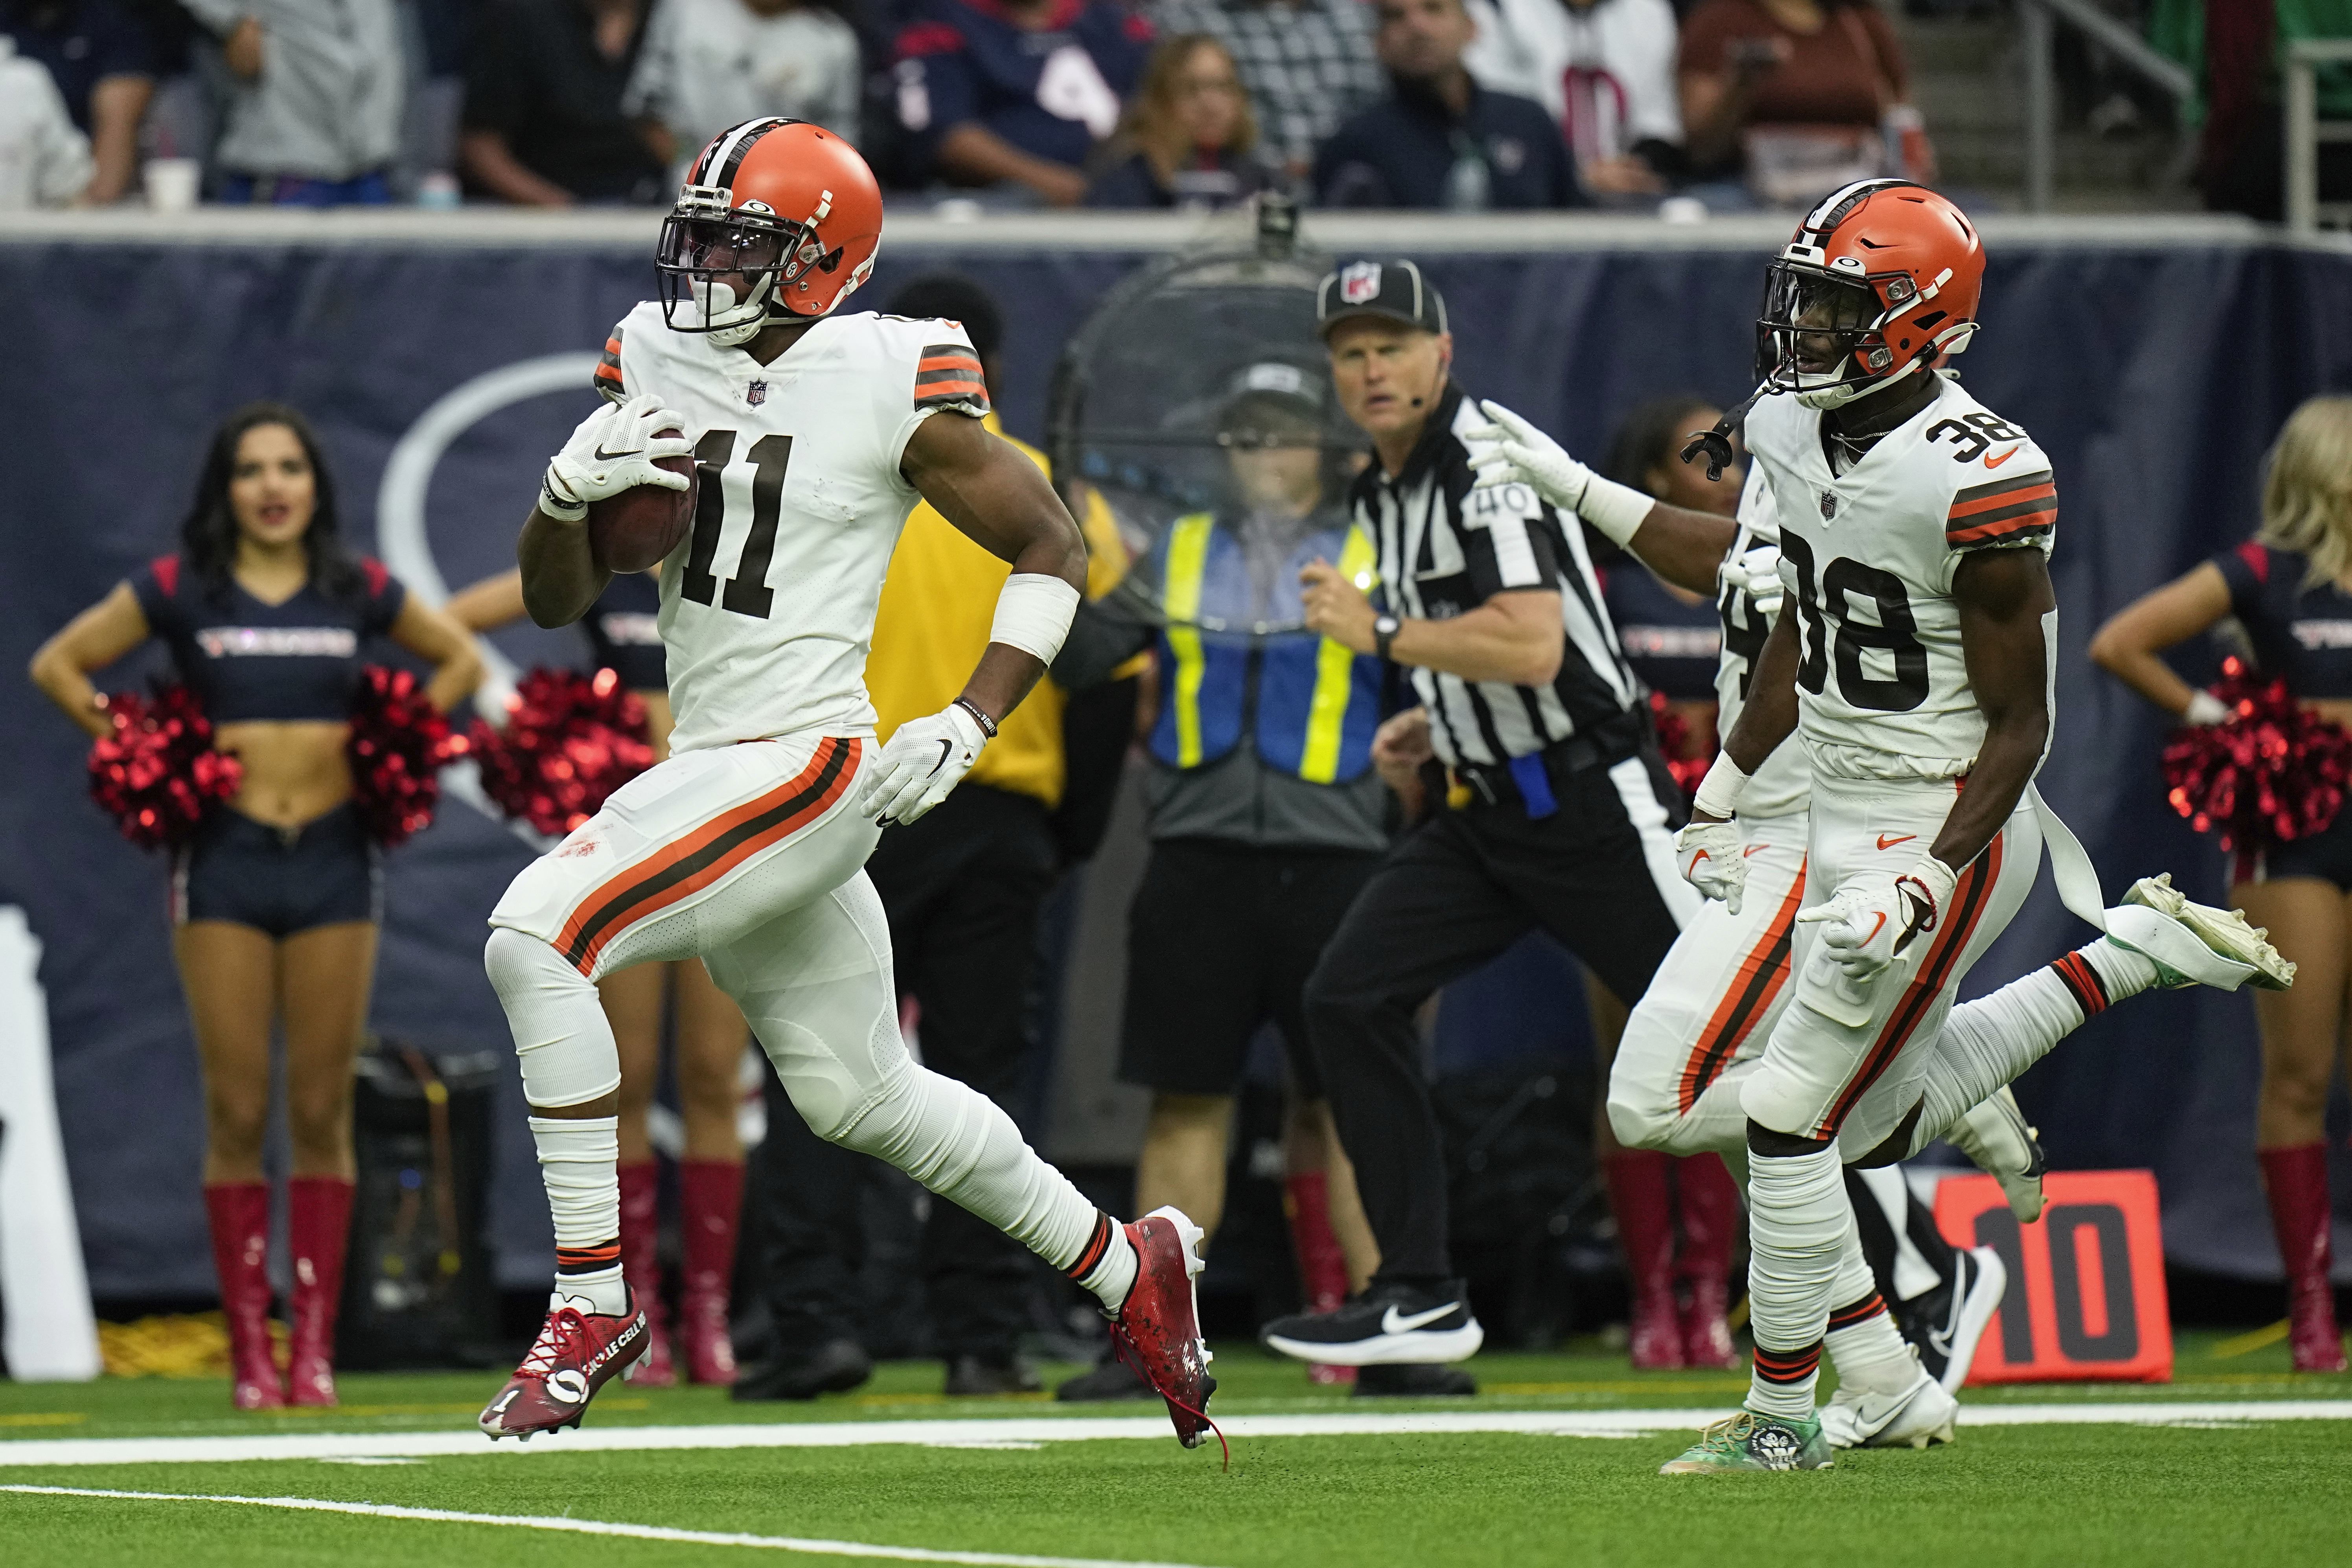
column 2292, row 589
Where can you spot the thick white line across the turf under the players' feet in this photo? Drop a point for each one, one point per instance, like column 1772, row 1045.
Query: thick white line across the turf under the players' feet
column 1015, row 1433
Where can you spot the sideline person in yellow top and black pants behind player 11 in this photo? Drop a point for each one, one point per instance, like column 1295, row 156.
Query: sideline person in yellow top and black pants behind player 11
column 963, row 890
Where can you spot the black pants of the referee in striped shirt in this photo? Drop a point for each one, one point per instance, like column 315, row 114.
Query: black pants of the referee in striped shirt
column 1455, row 894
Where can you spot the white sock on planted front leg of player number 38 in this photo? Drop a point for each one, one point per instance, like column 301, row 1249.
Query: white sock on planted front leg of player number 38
column 1798, row 1231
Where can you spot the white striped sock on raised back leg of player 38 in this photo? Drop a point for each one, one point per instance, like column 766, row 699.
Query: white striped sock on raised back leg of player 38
column 1989, row 1043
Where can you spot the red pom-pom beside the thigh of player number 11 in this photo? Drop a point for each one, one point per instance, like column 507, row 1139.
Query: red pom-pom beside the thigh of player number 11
column 570, row 742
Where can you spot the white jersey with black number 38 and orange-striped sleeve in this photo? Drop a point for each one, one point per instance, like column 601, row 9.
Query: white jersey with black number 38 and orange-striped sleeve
column 1869, row 563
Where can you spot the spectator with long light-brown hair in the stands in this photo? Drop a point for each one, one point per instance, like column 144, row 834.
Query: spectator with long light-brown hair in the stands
column 1191, row 140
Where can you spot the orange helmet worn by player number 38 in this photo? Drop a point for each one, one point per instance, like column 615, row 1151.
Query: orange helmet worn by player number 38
column 1887, row 274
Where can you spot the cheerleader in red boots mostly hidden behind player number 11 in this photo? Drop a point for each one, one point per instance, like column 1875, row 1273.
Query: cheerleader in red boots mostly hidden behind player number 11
column 711, row 1033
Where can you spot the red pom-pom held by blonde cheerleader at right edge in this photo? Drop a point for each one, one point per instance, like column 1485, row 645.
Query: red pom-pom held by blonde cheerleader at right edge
column 2271, row 775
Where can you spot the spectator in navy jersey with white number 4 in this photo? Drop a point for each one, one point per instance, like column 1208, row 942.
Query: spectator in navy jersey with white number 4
column 1017, row 93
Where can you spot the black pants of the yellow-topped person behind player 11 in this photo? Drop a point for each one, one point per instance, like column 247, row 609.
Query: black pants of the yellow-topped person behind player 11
column 963, row 890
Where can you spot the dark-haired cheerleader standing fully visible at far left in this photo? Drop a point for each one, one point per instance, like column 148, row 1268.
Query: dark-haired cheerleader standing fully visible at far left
column 279, row 897
